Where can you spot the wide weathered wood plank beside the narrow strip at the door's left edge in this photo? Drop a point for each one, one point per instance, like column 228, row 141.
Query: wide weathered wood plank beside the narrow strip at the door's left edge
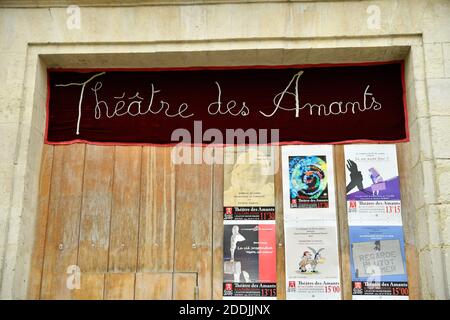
column 61, row 246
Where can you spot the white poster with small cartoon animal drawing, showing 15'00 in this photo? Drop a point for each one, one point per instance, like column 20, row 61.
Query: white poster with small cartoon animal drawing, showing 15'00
column 312, row 260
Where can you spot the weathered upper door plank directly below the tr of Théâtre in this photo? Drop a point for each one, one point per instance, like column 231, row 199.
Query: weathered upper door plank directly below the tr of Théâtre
column 157, row 217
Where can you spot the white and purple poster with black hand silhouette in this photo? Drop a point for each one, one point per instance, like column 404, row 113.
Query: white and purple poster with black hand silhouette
column 372, row 184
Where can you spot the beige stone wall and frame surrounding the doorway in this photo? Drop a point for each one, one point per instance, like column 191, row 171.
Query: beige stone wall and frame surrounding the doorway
column 34, row 35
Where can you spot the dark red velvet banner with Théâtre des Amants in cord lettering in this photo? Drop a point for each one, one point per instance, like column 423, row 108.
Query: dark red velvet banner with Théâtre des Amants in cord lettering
column 285, row 104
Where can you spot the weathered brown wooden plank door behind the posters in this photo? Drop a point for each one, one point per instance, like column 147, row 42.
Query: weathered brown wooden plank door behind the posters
column 132, row 225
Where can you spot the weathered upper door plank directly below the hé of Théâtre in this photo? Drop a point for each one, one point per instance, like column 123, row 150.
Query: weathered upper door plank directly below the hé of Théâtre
column 96, row 209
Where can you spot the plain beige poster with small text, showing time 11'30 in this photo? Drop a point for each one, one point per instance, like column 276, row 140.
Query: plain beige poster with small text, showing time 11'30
column 249, row 190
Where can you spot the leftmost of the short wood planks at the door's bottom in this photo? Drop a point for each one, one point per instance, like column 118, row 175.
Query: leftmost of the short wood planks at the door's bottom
column 119, row 286
